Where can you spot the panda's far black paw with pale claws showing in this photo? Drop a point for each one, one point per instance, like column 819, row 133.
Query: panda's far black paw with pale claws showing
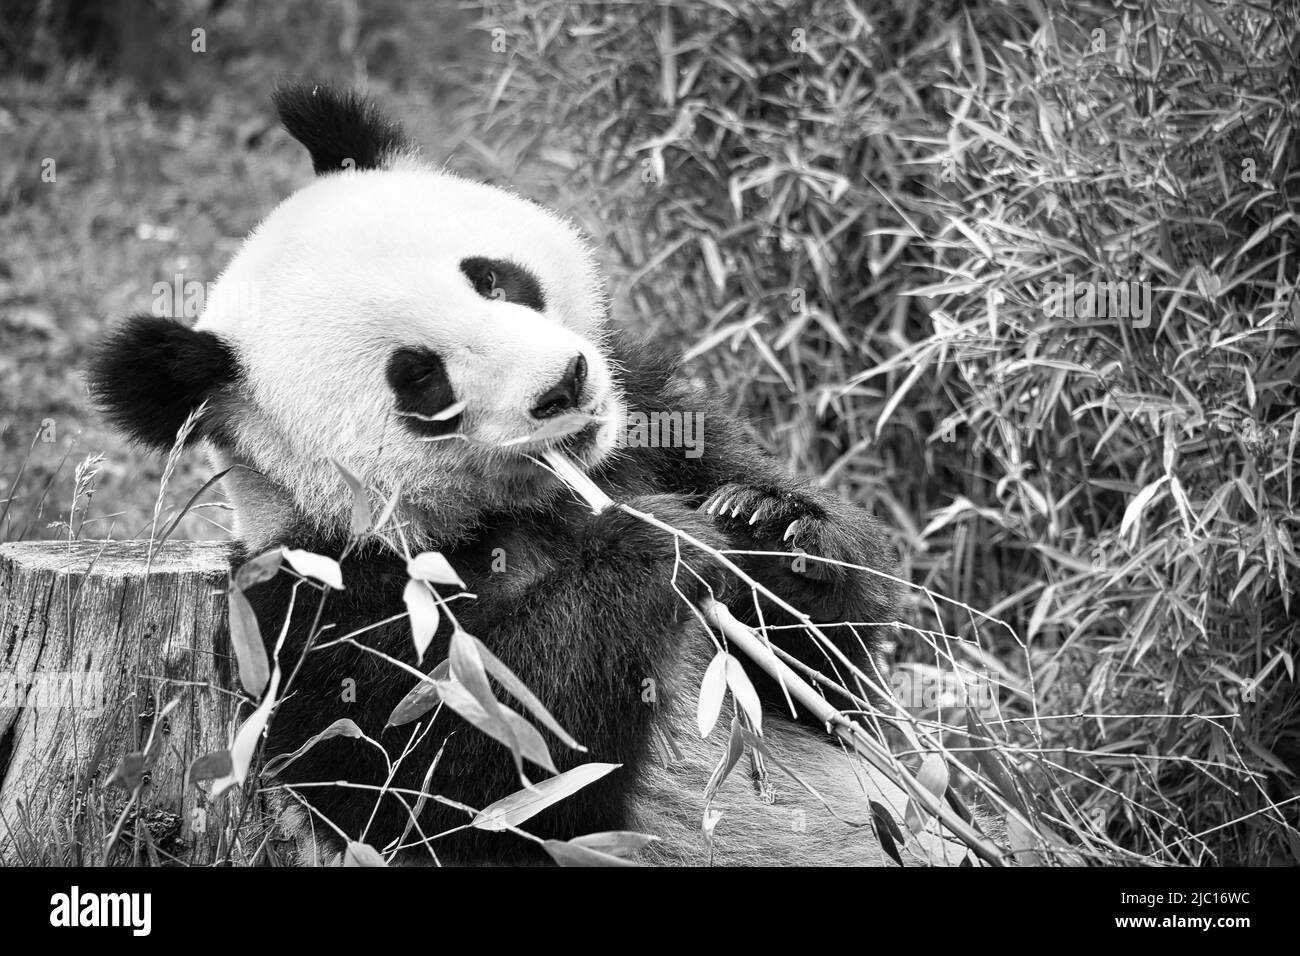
column 777, row 520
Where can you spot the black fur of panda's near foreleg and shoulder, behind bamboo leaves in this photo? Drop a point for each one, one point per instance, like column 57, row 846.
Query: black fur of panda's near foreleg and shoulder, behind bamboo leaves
column 570, row 637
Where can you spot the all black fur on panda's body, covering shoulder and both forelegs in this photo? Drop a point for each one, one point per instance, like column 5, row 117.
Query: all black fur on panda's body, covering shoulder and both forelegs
column 583, row 612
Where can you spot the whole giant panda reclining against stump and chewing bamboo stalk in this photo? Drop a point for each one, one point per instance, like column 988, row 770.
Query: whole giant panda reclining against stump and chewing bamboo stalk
column 385, row 295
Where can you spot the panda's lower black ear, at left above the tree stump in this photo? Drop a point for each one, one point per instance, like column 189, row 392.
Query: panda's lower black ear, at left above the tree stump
column 150, row 374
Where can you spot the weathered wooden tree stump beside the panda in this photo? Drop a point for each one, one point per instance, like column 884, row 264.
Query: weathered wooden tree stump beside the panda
column 96, row 642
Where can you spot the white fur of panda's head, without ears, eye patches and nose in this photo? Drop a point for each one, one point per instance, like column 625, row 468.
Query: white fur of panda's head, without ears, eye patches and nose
column 362, row 263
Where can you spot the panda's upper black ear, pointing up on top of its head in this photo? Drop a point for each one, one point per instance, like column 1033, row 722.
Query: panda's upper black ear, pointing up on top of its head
column 340, row 128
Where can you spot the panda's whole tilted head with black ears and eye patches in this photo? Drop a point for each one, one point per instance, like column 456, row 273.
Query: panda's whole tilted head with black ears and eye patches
column 427, row 332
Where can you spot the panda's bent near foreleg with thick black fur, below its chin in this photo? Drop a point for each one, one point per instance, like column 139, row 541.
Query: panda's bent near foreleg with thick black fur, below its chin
column 610, row 612
